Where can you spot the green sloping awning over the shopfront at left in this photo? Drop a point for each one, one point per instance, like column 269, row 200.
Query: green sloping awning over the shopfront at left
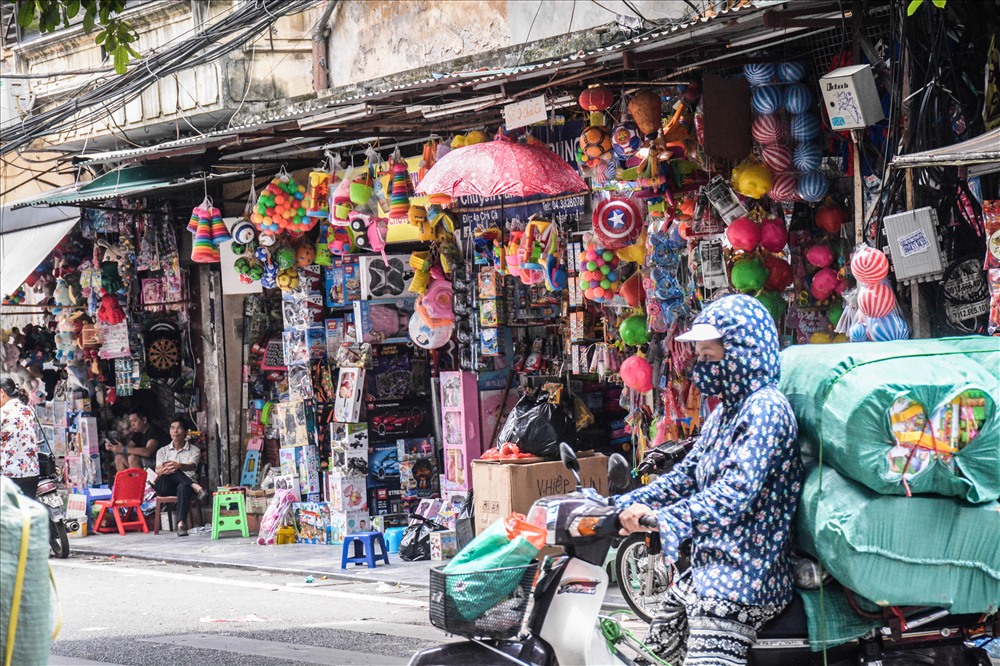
column 134, row 181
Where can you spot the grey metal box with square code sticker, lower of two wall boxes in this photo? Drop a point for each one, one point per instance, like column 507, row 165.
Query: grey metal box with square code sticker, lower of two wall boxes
column 913, row 245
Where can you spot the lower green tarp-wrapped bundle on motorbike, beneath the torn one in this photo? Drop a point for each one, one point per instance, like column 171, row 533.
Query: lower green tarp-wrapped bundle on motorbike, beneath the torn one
column 902, row 551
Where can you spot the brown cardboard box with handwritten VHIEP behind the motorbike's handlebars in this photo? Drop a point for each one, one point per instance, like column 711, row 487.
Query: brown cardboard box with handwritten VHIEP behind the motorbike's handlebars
column 503, row 488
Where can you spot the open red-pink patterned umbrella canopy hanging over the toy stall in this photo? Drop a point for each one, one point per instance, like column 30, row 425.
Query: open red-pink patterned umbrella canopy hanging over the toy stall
column 496, row 168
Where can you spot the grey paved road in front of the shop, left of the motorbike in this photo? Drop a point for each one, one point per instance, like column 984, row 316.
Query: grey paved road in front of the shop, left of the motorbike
column 146, row 613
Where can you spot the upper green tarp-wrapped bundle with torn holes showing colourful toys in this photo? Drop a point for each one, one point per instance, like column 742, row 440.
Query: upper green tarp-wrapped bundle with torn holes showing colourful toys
column 843, row 394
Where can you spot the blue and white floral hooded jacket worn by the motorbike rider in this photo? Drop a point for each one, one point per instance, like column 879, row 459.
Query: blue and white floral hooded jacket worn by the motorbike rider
column 734, row 495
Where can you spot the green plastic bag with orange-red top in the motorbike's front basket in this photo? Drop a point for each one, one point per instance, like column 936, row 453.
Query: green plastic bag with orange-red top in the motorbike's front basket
column 471, row 596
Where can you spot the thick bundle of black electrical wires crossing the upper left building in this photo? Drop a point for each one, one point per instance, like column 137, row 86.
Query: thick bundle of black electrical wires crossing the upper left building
column 215, row 41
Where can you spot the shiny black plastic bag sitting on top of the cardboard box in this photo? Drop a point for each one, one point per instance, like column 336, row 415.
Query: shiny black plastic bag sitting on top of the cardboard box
column 537, row 426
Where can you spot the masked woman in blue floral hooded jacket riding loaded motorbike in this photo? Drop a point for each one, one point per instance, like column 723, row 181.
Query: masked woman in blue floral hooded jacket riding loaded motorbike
column 734, row 495
